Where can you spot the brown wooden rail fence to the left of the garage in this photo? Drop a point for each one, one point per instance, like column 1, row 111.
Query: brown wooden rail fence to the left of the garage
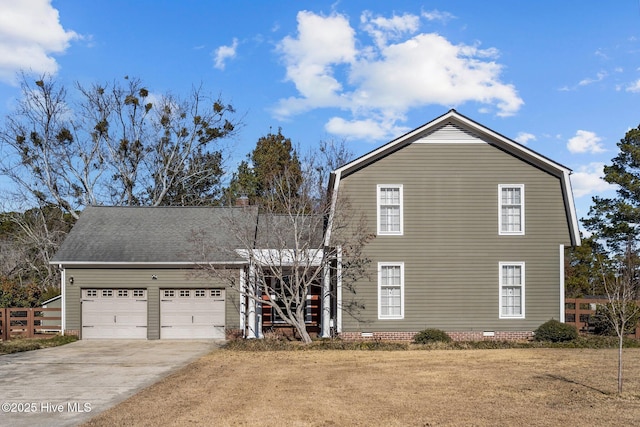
column 28, row 322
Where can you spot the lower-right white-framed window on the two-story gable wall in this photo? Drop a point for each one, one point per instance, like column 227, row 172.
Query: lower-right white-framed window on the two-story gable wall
column 512, row 290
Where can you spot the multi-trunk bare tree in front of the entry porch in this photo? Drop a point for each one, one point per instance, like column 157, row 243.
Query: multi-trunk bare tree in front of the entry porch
column 286, row 250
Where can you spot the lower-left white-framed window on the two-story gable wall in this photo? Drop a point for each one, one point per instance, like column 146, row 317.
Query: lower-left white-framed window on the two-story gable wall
column 390, row 290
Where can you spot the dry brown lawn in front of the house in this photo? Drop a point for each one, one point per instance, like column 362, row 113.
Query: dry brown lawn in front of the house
column 533, row 387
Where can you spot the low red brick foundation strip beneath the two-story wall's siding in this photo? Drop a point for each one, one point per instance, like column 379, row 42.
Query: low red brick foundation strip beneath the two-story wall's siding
column 455, row 335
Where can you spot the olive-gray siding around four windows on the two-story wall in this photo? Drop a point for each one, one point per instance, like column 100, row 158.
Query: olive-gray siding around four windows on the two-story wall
column 450, row 247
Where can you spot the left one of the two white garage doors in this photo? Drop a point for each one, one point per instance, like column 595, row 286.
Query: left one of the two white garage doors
column 114, row 313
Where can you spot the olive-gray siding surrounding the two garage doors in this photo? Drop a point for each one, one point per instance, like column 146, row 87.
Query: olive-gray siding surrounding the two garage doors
column 141, row 278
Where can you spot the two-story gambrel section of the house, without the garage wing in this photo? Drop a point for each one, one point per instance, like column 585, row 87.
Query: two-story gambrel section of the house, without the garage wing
column 470, row 233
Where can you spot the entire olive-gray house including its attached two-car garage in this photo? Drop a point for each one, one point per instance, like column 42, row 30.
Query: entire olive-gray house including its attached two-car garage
column 470, row 231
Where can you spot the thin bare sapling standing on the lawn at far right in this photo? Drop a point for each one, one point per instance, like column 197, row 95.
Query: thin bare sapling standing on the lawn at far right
column 621, row 312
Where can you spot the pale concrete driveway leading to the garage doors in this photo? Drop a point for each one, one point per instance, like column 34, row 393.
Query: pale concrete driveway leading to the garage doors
column 67, row 385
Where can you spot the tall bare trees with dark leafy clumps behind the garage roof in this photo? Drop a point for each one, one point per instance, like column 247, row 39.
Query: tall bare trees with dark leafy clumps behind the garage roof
column 113, row 144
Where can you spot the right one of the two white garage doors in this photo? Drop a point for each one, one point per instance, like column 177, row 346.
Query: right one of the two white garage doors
column 192, row 313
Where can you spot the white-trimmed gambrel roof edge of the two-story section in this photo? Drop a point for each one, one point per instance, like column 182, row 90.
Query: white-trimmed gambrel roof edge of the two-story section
column 453, row 119
